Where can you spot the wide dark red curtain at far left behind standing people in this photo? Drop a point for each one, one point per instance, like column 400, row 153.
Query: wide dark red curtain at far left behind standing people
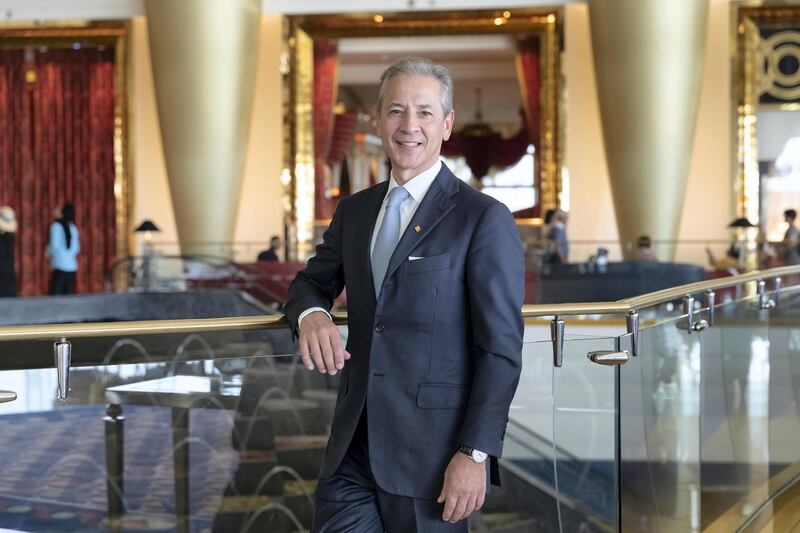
column 57, row 145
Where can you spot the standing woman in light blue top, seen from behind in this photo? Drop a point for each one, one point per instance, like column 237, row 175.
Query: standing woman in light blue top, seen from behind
column 64, row 248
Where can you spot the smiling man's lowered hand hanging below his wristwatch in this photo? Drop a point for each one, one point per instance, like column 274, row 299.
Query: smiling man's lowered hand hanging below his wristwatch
column 464, row 488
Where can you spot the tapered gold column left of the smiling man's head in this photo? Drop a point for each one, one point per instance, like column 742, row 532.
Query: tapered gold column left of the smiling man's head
column 204, row 55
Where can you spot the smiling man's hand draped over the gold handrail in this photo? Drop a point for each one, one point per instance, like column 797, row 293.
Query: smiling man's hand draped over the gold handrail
column 321, row 344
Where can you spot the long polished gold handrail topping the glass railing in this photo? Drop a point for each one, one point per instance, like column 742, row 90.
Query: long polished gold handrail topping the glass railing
column 154, row 327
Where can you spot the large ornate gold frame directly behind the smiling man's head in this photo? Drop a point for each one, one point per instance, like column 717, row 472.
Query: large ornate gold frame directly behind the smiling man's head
column 298, row 171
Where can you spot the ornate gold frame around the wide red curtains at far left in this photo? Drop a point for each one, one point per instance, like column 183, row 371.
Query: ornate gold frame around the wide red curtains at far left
column 114, row 34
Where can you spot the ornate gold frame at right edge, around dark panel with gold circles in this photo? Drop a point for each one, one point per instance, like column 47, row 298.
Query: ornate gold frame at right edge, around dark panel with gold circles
column 749, row 18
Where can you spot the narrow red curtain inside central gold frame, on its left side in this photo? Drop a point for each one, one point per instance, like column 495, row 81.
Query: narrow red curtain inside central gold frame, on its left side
column 323, row 98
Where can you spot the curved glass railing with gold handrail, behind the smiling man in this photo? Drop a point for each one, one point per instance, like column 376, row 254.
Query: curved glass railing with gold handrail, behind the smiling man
column 651, row 419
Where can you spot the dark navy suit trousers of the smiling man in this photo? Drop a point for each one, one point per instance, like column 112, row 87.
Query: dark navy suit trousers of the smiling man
column 350, row 500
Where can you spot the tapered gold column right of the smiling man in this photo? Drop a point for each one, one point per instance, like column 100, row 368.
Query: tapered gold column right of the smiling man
column 648, row 57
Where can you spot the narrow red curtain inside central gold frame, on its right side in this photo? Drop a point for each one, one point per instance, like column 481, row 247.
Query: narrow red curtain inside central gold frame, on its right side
column 529, row 77
